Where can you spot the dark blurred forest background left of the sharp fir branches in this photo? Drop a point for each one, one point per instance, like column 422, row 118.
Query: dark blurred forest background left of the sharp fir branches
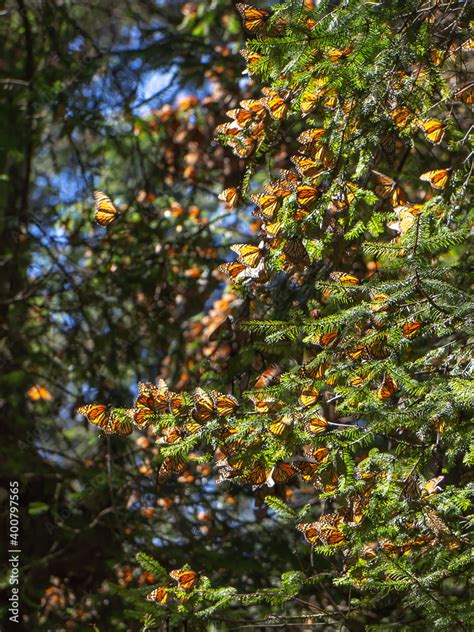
column 122, row 97
